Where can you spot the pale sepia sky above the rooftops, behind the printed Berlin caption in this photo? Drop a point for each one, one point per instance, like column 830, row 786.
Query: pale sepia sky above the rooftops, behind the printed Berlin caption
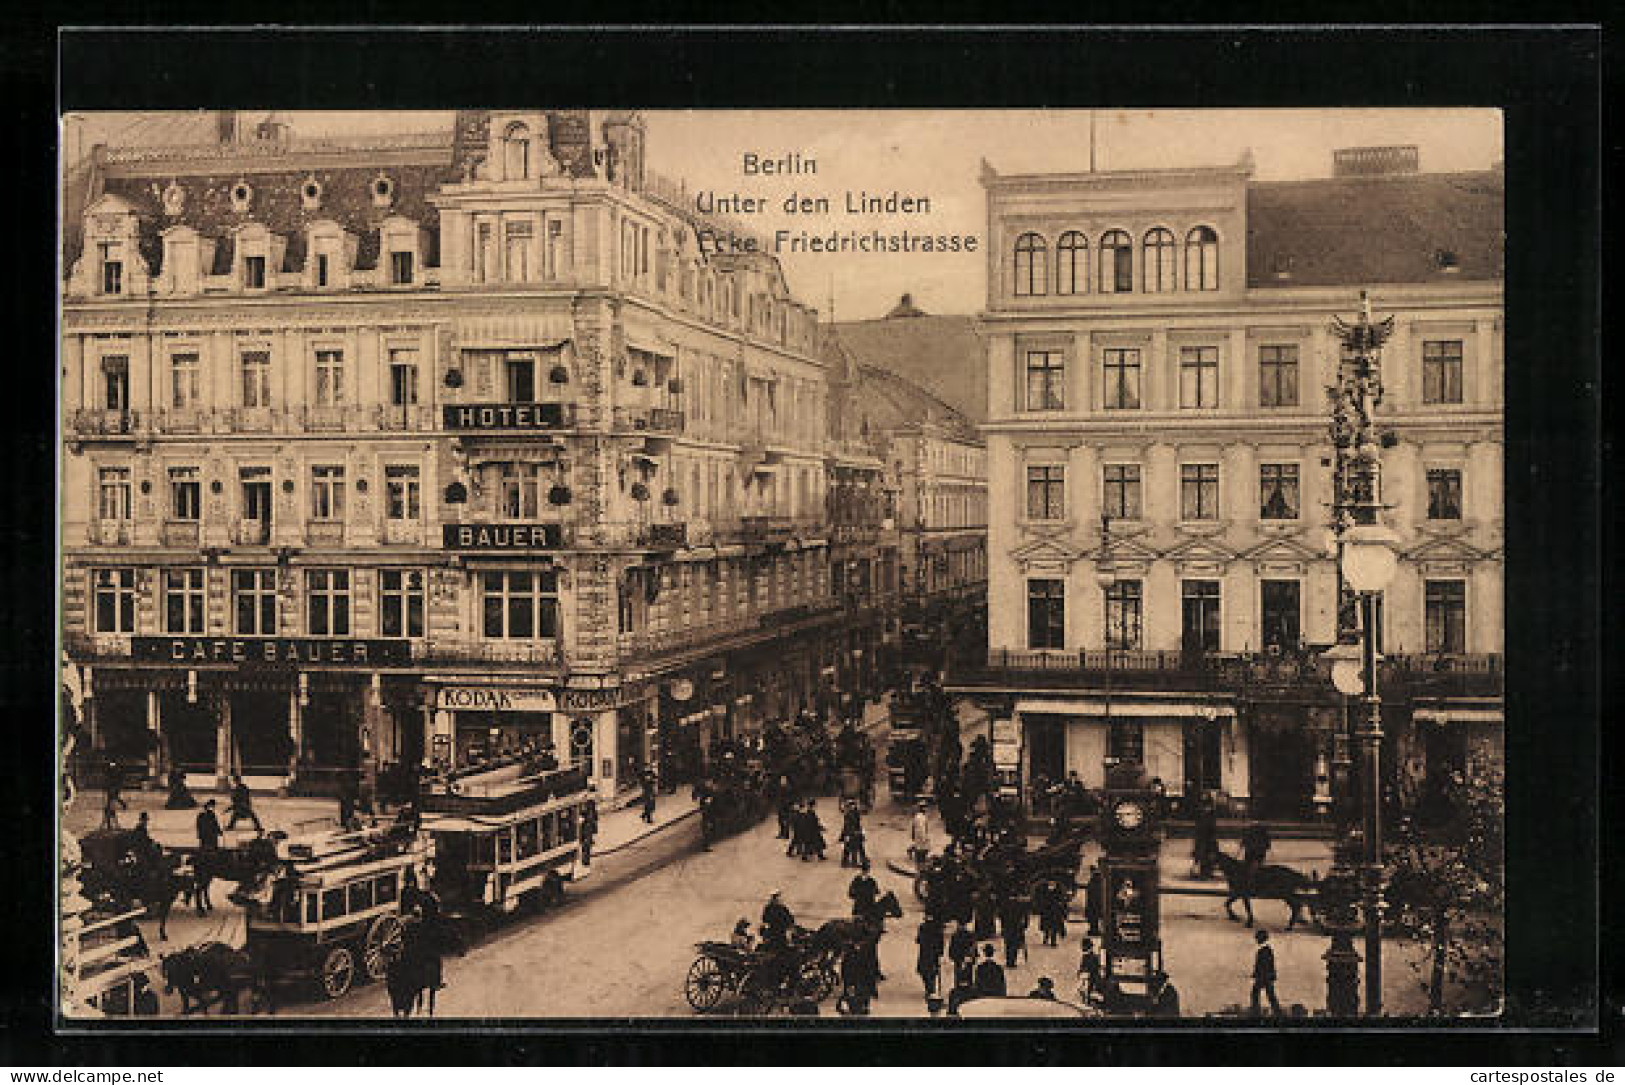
column 937, row 155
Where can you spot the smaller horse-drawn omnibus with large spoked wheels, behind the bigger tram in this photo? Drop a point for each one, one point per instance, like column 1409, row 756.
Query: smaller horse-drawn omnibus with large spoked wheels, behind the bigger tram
column 334, row 910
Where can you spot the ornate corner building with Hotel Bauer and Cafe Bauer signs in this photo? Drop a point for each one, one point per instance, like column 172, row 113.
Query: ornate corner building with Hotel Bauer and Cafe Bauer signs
column 414, row 449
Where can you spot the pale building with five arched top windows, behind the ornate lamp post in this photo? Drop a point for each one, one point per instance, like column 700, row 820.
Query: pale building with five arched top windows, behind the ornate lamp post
column 1161, row 581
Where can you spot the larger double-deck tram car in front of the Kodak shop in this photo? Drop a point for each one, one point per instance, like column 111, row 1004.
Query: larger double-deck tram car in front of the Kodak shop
column 505, row 839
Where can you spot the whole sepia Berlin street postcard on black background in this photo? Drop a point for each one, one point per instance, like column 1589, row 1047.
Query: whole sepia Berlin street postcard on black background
column 544, row 564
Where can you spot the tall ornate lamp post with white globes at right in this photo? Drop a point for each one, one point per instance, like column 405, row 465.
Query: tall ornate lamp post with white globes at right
column 1366, row 564
